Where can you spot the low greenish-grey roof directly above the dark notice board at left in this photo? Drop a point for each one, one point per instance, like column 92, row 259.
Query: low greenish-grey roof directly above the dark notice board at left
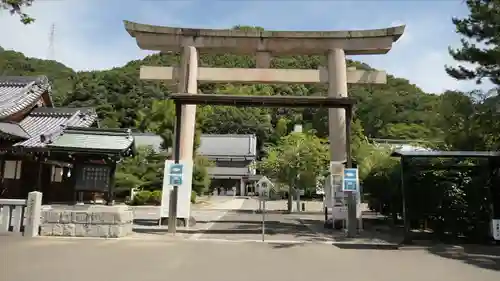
column 85, row 139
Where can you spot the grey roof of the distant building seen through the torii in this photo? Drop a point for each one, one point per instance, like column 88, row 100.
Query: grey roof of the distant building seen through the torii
column 229, row 145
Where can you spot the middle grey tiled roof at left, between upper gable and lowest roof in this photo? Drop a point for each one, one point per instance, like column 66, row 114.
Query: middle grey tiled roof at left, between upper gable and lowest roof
column 47, row 122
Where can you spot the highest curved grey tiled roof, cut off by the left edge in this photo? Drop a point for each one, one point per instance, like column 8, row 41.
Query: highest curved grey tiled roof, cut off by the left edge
column 17, row 93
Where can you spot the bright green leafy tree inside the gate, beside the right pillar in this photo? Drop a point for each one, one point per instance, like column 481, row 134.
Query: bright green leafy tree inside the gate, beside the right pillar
column 296, row 161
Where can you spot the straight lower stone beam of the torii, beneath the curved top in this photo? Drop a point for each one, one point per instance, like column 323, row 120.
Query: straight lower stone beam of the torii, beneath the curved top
column 264, row 75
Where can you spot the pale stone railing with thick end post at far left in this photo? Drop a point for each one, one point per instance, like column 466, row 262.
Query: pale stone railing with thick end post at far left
column 21, row 215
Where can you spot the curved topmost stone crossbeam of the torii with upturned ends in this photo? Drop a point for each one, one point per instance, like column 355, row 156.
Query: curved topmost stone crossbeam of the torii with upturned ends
column 355, row 42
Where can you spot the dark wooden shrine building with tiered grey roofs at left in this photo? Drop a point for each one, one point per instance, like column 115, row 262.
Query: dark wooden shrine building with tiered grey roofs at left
column 58, row 151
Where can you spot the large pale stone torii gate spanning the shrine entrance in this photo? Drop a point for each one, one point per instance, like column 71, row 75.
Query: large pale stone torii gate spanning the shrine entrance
column 266, row 44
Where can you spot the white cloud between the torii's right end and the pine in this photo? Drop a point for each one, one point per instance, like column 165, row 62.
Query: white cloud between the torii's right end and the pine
column 421, row 54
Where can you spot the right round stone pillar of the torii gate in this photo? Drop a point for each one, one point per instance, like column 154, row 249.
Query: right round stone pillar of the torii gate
column 337, row 87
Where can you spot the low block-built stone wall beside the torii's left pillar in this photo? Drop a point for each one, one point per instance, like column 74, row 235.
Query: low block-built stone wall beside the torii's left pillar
column 87, row 221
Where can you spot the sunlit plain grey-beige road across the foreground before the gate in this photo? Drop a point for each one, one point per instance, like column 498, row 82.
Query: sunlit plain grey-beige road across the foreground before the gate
column 60, row 259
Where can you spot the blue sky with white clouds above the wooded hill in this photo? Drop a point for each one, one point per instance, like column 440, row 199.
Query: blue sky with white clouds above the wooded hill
column 90, row 34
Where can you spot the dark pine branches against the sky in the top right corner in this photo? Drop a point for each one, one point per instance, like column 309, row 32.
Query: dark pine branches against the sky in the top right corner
column 480, row 42
